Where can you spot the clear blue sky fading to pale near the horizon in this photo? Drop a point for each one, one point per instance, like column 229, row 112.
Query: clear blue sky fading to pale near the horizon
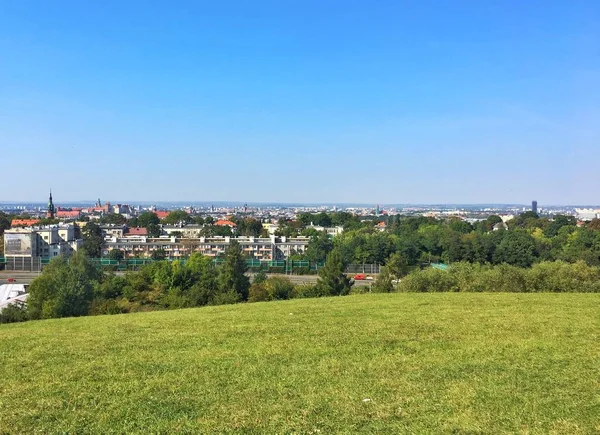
column 301, row 101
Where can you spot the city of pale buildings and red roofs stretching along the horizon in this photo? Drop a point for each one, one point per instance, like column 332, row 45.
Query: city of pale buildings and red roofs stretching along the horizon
column 39, row 232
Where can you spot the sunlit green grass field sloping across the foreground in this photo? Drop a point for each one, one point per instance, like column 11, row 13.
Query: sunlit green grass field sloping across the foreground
column 396, row 363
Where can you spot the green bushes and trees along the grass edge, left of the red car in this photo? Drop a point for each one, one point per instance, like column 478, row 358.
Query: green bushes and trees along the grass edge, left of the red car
column 75, row 287
